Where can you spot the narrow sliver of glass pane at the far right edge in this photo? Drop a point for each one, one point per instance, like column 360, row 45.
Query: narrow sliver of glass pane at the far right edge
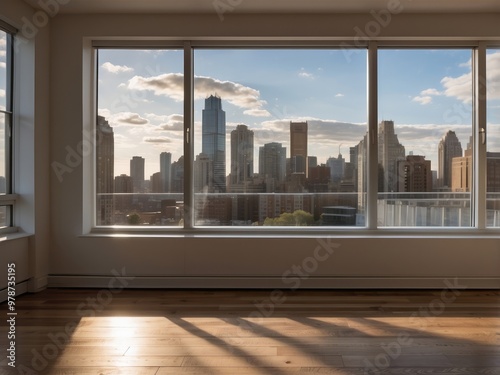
column 493, row 139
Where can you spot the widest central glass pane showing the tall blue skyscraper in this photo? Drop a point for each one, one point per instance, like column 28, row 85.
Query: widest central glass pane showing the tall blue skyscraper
column 278, row 137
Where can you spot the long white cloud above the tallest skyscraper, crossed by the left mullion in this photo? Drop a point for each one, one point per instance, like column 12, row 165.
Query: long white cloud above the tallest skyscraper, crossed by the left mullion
column 172, row 85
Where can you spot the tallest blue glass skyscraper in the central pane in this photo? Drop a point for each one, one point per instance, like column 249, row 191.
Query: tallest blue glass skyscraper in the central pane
column 214, row 140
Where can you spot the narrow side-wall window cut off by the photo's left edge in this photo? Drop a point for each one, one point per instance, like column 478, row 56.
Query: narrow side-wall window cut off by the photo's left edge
column 6, row 119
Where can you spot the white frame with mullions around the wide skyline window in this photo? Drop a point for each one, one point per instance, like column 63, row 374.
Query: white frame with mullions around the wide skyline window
column 478, row 193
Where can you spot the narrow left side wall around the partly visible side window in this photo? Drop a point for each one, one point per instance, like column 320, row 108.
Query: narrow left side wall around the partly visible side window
column 31, row 151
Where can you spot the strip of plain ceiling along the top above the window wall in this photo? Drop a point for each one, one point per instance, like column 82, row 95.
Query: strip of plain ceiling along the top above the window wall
column 273, row 6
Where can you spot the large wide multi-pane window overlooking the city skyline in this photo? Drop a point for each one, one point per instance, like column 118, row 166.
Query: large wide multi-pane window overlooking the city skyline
column 280, row 137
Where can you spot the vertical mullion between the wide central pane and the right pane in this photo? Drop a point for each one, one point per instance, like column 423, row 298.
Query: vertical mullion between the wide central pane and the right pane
column 372, row 147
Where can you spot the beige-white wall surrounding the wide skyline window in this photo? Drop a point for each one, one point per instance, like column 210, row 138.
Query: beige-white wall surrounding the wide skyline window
column 376, row 261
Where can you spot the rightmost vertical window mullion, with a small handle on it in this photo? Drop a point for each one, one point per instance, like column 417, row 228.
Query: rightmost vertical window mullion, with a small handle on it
column 480, row 106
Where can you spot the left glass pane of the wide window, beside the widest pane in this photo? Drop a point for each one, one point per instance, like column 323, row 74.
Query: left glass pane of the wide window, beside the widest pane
column 139, row 138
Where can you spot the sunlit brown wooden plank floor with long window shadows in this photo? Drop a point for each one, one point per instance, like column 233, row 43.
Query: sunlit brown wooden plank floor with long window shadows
column 173, row 332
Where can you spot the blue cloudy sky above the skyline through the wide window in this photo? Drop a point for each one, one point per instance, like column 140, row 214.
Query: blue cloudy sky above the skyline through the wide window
column 425, row 92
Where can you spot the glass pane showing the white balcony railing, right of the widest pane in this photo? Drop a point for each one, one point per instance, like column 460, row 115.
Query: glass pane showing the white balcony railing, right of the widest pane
column 424, row 136
